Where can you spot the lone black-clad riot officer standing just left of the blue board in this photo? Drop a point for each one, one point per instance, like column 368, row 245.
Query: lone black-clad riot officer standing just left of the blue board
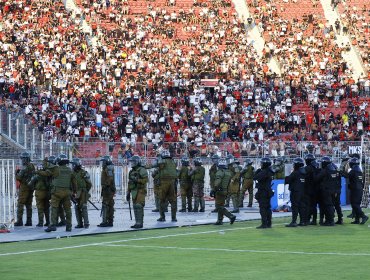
column 263, row 178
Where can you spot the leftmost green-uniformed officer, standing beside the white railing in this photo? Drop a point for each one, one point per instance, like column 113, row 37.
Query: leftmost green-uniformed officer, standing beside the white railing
column 25, row 195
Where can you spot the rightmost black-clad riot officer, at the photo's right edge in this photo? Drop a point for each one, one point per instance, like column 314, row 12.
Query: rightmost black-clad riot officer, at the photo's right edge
column 356, row 186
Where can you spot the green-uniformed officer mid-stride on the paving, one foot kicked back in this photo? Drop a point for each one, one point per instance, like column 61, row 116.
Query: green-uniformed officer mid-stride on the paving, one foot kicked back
column 223, row 178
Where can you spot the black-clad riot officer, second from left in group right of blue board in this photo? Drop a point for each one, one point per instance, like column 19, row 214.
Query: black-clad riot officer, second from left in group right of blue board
column 311, row 189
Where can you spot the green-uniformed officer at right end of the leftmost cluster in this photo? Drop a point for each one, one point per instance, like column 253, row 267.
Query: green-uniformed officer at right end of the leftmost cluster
column 81, row 196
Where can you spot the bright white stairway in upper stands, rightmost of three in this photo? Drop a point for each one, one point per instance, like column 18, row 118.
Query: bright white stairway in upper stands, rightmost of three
column 352, row 57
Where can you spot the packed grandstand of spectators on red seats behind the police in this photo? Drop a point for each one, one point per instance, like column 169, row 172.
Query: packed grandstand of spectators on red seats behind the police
column 186, row 72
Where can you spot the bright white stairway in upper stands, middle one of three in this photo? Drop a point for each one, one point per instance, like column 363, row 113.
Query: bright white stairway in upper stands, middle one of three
column 254, row 35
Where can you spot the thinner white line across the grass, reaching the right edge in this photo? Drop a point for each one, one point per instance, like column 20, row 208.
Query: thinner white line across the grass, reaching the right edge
column 238, row 250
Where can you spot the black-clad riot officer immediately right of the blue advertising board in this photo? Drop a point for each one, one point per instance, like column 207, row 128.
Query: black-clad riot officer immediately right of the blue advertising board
column 296, row 181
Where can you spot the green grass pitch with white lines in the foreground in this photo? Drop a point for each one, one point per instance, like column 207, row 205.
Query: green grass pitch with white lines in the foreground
column 204, row 252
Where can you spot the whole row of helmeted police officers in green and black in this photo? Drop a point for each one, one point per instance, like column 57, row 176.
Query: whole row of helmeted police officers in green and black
column 311, row 185
